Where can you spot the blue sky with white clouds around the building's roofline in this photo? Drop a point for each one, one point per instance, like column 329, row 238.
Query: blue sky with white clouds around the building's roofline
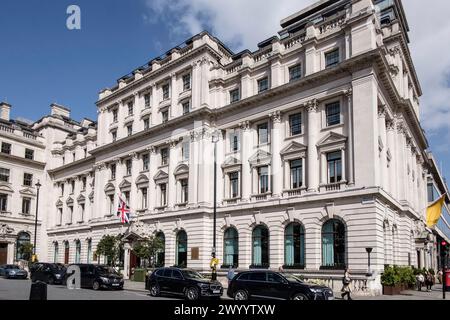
column 41, row 61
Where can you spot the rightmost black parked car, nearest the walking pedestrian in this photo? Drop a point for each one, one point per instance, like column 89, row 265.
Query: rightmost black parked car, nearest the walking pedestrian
column 275, row 285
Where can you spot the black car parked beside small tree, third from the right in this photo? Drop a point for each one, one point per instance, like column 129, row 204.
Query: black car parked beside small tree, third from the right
column 98, row 277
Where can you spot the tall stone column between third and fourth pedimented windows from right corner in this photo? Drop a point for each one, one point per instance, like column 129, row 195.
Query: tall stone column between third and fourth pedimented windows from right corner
column 246, row 149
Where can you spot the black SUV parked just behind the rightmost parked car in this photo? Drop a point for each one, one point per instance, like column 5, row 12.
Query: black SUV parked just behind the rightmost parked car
column 184, row 282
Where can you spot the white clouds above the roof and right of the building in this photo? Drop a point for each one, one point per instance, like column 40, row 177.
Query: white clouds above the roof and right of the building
column 242, row 24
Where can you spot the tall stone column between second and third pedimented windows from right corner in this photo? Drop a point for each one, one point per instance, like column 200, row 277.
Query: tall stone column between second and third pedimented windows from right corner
column 275, row 145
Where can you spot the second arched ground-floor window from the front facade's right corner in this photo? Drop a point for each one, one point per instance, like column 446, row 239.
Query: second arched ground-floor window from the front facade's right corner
column 294, row 246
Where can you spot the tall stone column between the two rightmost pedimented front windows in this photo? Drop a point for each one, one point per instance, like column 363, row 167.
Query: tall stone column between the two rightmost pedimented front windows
column 313, row 131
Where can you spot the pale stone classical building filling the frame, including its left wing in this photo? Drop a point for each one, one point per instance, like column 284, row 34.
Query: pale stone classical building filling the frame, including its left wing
column 320, row 155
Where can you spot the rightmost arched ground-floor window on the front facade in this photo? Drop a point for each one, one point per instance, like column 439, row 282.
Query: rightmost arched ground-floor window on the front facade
column 333, row 245
